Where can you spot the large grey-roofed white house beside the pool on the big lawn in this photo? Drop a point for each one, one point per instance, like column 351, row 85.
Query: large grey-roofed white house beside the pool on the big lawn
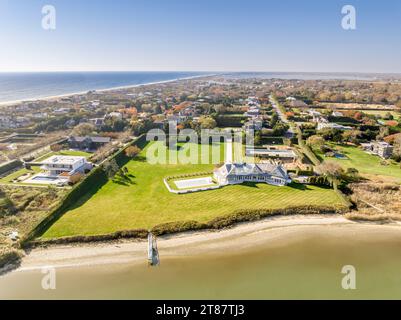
column 236, row 173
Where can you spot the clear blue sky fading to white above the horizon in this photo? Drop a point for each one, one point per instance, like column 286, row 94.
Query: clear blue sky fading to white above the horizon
column 200, row 35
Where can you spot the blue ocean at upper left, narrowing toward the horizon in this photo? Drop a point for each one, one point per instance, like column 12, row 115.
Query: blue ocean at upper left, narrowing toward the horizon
column 35, row 85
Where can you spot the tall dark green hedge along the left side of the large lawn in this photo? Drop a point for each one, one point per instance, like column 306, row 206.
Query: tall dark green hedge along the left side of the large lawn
column 92, row 182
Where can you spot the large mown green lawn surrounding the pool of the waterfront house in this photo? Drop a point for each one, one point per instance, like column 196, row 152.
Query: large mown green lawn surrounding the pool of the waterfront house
column 145, row 201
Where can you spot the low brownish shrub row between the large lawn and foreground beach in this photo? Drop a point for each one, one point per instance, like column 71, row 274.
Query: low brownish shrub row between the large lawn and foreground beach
column 182, row 226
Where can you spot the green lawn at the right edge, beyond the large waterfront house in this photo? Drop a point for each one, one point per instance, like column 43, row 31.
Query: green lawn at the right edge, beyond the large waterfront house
column 366, row 163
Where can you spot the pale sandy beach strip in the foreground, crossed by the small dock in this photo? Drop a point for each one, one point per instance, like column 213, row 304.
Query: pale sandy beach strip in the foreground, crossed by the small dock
column 278, row 231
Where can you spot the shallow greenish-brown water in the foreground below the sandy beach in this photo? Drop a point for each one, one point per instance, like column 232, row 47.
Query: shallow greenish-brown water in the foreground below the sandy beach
column 306, row 269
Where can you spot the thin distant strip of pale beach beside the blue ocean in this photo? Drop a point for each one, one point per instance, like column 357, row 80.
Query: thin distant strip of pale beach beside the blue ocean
column 66, row 95
